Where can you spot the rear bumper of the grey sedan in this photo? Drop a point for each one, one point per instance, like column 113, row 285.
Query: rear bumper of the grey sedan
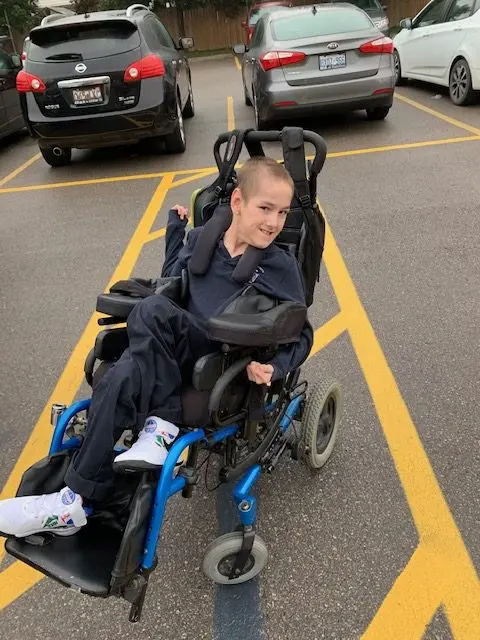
column 280, row 99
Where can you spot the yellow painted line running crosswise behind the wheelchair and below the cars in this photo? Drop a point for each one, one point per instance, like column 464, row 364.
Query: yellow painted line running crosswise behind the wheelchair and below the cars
column 205, row 171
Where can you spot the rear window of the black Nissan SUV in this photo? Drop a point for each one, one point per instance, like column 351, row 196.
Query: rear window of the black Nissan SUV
column 85, row 41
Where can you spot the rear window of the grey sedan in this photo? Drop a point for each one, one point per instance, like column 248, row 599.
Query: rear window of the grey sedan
column 323, row 23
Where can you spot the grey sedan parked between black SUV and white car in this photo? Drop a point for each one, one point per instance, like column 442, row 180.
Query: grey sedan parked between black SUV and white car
column 306, row 60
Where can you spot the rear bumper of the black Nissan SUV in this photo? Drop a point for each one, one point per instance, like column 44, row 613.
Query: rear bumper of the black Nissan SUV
column 101, row 129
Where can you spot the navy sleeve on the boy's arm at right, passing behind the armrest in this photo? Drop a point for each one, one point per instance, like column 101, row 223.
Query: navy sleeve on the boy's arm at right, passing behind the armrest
column 292, row 356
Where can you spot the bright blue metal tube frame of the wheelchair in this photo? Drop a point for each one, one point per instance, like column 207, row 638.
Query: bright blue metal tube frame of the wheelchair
column 168, row 485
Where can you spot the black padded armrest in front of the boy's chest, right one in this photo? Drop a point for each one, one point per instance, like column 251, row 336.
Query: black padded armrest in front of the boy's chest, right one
column 253, row 321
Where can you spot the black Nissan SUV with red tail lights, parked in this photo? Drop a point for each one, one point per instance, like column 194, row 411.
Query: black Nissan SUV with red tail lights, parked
column 105, row 78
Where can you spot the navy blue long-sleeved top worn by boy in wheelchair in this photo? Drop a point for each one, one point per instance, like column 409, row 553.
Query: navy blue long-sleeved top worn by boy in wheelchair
column 278, row 276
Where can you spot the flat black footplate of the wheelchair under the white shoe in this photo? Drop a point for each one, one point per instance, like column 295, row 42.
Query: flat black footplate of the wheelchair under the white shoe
column 83, row 561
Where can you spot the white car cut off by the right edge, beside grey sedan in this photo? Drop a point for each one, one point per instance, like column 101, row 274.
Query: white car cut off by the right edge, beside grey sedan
column 441, row 45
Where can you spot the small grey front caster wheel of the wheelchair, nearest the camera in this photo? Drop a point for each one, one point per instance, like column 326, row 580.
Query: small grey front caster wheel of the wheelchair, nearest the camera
column 220, row 555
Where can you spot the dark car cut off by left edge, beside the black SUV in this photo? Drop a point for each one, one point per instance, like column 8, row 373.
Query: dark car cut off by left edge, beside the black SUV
column 11, row 118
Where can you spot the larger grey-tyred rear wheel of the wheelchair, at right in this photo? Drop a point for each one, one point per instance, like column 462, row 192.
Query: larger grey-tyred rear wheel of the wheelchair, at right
column 321, row 421
